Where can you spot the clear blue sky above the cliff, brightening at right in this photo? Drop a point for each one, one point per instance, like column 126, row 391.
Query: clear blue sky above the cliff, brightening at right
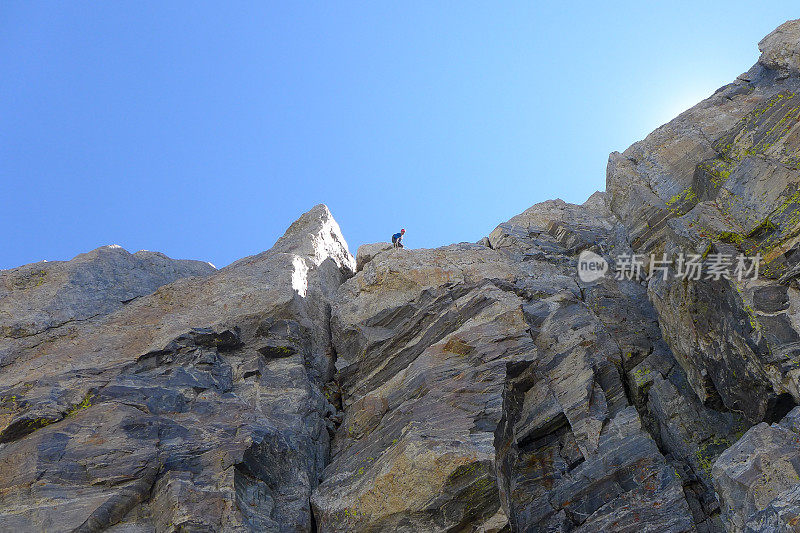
column 203, row 130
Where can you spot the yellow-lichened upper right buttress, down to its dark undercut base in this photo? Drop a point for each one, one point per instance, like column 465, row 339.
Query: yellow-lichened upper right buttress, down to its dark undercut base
column 722, row 178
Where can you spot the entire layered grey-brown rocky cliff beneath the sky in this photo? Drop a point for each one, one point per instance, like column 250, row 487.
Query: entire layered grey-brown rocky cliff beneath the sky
column 476, row 387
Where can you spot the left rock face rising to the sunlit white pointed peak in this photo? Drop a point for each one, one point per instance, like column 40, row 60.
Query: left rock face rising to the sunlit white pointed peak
column 198, row 406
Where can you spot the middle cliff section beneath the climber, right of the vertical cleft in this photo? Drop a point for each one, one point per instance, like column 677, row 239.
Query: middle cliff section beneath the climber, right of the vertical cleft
column 501, row 378
